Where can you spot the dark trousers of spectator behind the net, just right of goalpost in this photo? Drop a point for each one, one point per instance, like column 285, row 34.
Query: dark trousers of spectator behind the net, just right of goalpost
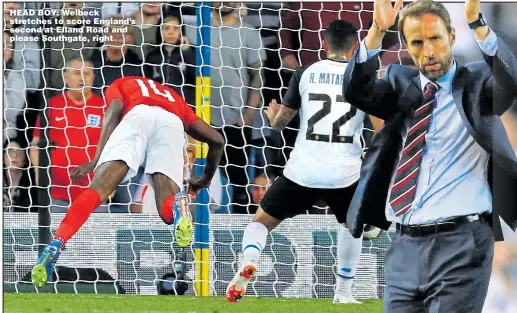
column 234, row 164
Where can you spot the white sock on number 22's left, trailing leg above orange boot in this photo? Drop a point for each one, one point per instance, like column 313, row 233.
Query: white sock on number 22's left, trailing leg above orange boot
column 253, row 242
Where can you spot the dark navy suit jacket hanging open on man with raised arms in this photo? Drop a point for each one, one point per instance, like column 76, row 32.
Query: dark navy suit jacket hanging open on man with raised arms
column 482, row 92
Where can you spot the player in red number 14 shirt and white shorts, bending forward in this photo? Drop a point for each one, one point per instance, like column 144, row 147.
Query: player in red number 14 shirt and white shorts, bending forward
column 144, row 126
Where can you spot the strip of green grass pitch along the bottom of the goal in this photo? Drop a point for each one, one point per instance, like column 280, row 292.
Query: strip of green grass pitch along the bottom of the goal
column 89, row 303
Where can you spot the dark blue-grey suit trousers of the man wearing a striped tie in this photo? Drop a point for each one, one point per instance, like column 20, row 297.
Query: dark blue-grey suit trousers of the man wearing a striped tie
column 445, row 272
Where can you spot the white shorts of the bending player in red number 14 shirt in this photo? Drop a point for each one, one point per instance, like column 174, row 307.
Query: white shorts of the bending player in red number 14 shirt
column 151, row 137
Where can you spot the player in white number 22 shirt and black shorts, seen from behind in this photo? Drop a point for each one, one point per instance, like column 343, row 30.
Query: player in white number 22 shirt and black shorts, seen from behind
column 324, row 164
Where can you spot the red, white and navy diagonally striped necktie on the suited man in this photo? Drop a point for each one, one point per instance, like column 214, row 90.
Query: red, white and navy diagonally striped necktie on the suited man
column 404, row 186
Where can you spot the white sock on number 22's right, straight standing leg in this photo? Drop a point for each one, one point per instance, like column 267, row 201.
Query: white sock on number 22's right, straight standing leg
column 348, row 252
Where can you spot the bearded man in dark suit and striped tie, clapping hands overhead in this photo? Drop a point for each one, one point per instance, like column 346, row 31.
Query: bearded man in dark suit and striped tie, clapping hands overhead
column 442, row 168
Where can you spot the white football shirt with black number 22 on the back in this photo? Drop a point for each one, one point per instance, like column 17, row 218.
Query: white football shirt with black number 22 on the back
column 327, row 151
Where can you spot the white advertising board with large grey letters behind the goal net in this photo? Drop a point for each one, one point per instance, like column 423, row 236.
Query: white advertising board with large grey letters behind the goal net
column 130, row 253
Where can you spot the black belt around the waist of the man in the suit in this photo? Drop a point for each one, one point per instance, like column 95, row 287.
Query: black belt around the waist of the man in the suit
column 427, row 229
